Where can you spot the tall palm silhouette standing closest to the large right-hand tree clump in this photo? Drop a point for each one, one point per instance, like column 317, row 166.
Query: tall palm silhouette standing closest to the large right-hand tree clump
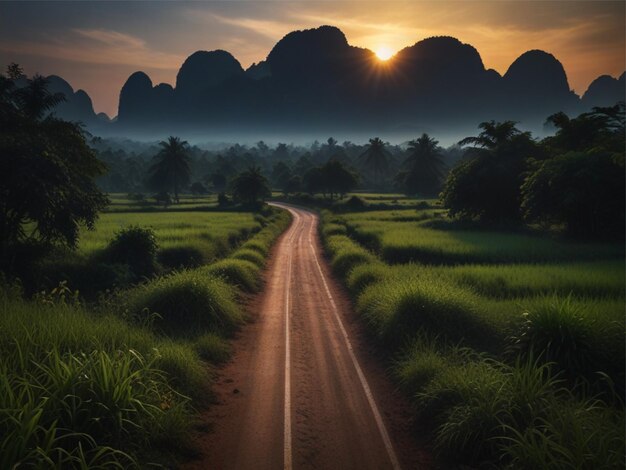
column 426, row 166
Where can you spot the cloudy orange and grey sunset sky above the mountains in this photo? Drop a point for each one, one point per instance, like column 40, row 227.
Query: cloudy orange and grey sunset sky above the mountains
column 96, row 45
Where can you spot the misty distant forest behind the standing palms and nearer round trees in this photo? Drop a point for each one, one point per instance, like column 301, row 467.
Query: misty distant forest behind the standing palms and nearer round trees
column 284, row 165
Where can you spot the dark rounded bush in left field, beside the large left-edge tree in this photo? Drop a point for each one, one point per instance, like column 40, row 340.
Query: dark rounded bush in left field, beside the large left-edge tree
column 136, row 247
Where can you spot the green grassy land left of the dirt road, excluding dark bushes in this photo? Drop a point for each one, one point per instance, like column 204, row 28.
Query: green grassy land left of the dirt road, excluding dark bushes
column 106, row 384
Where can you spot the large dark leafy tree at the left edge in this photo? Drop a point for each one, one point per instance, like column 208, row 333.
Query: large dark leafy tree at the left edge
column 47, row 170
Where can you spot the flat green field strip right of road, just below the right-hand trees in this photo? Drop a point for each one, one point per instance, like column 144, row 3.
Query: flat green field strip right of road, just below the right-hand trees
column 408, row 235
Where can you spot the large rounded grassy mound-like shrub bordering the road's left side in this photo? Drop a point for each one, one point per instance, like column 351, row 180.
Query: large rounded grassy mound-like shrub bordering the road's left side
column 188, row 301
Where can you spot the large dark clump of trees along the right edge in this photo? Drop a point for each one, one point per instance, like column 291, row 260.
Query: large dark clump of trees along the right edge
column 574, row 179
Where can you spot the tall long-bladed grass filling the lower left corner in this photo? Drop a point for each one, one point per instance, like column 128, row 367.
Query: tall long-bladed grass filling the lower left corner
column 79, row 391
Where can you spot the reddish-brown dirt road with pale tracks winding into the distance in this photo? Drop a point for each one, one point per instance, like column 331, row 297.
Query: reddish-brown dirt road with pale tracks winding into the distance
column 302, row 390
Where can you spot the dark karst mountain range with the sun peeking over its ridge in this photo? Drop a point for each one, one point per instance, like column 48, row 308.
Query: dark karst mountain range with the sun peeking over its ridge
column 314, row 82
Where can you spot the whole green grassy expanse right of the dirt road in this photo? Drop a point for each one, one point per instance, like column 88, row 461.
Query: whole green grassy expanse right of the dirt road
column 510, row 345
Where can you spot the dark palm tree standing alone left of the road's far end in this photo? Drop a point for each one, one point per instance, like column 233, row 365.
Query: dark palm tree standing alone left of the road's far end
column 171, row 168
